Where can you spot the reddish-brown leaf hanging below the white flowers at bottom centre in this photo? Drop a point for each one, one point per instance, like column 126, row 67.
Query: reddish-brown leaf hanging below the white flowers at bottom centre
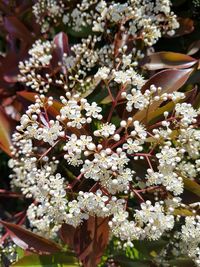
column 89, row 240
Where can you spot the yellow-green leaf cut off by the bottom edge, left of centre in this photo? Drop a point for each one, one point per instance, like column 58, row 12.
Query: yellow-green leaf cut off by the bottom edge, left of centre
column 57, row 260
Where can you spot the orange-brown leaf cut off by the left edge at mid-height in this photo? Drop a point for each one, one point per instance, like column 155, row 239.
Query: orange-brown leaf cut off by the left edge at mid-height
column 5, row 132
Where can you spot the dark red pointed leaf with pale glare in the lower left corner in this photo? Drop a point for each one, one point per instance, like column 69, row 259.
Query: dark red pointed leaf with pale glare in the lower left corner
column 30, row 241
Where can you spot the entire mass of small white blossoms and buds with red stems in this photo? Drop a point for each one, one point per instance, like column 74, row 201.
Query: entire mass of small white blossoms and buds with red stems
column 101, row 144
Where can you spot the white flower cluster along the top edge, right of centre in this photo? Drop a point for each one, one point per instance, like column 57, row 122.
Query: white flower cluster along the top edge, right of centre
column 141, row 19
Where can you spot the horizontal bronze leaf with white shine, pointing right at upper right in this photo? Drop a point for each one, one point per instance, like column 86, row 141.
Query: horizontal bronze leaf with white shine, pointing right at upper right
column 163, row 60
